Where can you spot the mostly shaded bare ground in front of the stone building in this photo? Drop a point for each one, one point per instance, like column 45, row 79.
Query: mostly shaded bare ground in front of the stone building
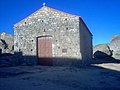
column 95, row 77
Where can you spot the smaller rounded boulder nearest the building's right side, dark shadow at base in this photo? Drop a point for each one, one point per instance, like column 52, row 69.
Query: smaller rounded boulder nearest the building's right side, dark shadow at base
column 101, row 51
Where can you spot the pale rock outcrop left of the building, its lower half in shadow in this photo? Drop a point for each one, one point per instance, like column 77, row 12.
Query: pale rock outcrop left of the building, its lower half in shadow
column 6, row 50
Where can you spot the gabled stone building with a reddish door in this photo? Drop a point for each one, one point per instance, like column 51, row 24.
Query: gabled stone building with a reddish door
column 52, row 37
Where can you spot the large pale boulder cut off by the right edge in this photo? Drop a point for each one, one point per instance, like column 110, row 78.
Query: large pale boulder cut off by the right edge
column 115, row 46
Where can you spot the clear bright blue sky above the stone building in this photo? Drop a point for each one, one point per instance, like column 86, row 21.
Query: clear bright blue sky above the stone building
column 101, row 16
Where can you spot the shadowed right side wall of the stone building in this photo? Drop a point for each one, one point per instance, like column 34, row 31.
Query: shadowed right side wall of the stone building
column 85, row 43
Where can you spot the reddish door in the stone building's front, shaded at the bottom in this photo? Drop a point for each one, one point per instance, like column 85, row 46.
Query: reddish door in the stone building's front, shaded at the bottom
column 44, row 50
